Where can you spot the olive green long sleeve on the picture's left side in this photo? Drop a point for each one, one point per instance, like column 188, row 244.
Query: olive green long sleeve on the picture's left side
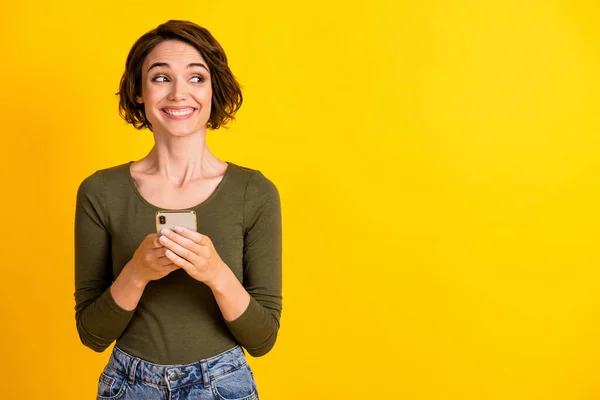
column 99, row 319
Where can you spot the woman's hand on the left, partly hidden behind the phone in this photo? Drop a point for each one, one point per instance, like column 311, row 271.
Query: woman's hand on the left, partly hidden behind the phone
column 149, row 262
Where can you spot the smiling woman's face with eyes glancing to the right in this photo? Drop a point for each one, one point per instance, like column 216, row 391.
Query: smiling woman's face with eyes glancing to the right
column 176, row 89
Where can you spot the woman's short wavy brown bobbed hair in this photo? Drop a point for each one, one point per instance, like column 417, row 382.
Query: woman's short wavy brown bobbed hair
column 226, row 92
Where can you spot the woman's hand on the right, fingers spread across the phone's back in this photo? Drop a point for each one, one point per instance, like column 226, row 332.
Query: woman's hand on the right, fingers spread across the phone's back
column 194, row 253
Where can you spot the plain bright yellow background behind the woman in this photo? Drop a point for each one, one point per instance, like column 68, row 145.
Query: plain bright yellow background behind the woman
column 438, row 168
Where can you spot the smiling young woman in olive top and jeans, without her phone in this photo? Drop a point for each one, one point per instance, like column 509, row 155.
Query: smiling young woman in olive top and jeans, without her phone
column 183, row 305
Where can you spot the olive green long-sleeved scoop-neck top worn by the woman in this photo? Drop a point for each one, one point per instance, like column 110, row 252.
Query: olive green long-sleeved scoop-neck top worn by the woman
column 177, row 320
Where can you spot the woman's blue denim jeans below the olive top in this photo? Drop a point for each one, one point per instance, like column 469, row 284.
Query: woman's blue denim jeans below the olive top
column 226, row 376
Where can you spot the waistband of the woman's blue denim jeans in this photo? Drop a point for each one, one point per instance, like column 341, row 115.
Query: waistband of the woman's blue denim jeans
column 201, row 371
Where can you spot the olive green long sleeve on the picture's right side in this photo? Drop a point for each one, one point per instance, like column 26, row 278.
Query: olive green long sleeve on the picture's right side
column 256, row 329
